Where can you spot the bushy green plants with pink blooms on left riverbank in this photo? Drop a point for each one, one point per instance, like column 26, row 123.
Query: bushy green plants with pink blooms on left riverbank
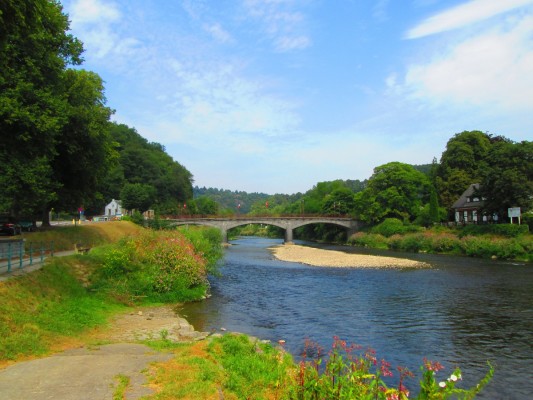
column 159, row 265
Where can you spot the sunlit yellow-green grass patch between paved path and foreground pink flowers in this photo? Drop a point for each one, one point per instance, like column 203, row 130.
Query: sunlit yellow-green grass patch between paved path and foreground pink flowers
column 230, row 367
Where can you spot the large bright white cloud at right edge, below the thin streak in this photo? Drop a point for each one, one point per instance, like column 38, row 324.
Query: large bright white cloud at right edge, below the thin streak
column 491, row 71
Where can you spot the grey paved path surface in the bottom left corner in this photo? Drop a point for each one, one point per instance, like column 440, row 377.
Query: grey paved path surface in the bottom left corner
column 81, row 374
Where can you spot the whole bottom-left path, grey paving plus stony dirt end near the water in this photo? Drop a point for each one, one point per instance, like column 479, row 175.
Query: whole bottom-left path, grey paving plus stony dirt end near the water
column 90, row 372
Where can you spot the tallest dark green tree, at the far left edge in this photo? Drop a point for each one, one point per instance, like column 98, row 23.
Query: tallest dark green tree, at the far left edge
column 35, row 49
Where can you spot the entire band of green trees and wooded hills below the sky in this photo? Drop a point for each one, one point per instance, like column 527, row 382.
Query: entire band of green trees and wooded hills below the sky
column 60, row 151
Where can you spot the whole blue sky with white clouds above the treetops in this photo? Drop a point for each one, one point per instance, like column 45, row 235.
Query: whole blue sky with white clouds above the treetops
column 276, row 95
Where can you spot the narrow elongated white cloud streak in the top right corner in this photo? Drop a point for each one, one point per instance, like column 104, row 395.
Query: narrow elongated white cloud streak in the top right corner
column 463, row 15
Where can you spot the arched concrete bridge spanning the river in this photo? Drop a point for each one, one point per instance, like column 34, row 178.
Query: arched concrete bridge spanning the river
column 286, row 223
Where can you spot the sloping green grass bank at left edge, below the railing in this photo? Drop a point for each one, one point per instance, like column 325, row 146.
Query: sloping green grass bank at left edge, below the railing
column 55, row 305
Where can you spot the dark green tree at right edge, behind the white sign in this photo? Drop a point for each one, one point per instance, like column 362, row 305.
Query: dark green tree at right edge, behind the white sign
column 508, row 178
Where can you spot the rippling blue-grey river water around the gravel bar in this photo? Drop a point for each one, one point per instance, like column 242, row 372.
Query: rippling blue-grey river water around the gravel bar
column 460, row 311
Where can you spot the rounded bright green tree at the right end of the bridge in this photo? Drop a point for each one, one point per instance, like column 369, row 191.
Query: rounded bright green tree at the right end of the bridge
column 395, row 190
